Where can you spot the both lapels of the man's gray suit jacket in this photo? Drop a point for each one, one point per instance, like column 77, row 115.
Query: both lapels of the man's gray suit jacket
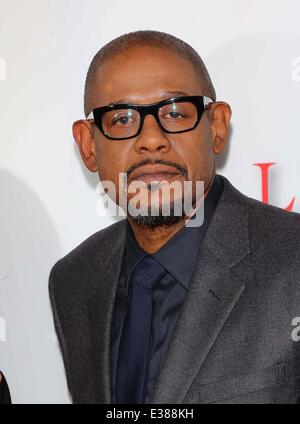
column 218, row 281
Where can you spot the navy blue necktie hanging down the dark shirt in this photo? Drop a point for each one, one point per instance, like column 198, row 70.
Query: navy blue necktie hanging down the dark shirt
column 135, row 343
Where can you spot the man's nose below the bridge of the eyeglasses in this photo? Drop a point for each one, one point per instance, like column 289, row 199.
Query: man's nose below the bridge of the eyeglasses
column 152, row 138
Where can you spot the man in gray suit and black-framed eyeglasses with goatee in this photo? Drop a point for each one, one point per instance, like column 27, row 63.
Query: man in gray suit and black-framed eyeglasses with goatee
column 151, row 309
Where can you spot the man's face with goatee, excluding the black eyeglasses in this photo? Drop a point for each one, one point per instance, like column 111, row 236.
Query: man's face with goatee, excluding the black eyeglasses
column 146, row 75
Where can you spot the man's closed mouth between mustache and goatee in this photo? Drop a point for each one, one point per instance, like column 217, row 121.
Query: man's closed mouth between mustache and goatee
column 150, row 173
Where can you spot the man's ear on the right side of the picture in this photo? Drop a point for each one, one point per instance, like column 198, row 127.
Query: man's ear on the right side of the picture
column 220, row 114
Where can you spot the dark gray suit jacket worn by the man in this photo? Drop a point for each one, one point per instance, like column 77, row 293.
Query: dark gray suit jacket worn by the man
column 233, row 339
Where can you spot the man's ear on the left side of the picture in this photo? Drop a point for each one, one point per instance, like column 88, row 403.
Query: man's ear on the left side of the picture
column 84, row 136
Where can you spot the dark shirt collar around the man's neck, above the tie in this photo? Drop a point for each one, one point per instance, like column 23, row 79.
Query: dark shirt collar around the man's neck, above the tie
column 184, row 245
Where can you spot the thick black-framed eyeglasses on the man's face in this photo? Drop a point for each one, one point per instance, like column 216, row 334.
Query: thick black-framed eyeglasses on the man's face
column 175, row 115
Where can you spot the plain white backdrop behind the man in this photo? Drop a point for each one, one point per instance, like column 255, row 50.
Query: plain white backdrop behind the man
column 48, row 201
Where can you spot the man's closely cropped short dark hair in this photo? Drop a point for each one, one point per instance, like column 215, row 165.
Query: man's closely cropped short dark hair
column 145, row 38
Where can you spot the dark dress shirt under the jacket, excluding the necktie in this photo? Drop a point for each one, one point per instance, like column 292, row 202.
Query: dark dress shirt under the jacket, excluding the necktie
column 178, row 256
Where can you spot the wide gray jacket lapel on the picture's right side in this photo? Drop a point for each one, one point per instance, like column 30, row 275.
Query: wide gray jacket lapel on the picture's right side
column 217, row 283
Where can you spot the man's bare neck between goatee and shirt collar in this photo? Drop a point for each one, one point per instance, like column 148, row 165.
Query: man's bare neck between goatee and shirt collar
column 152, row 239
